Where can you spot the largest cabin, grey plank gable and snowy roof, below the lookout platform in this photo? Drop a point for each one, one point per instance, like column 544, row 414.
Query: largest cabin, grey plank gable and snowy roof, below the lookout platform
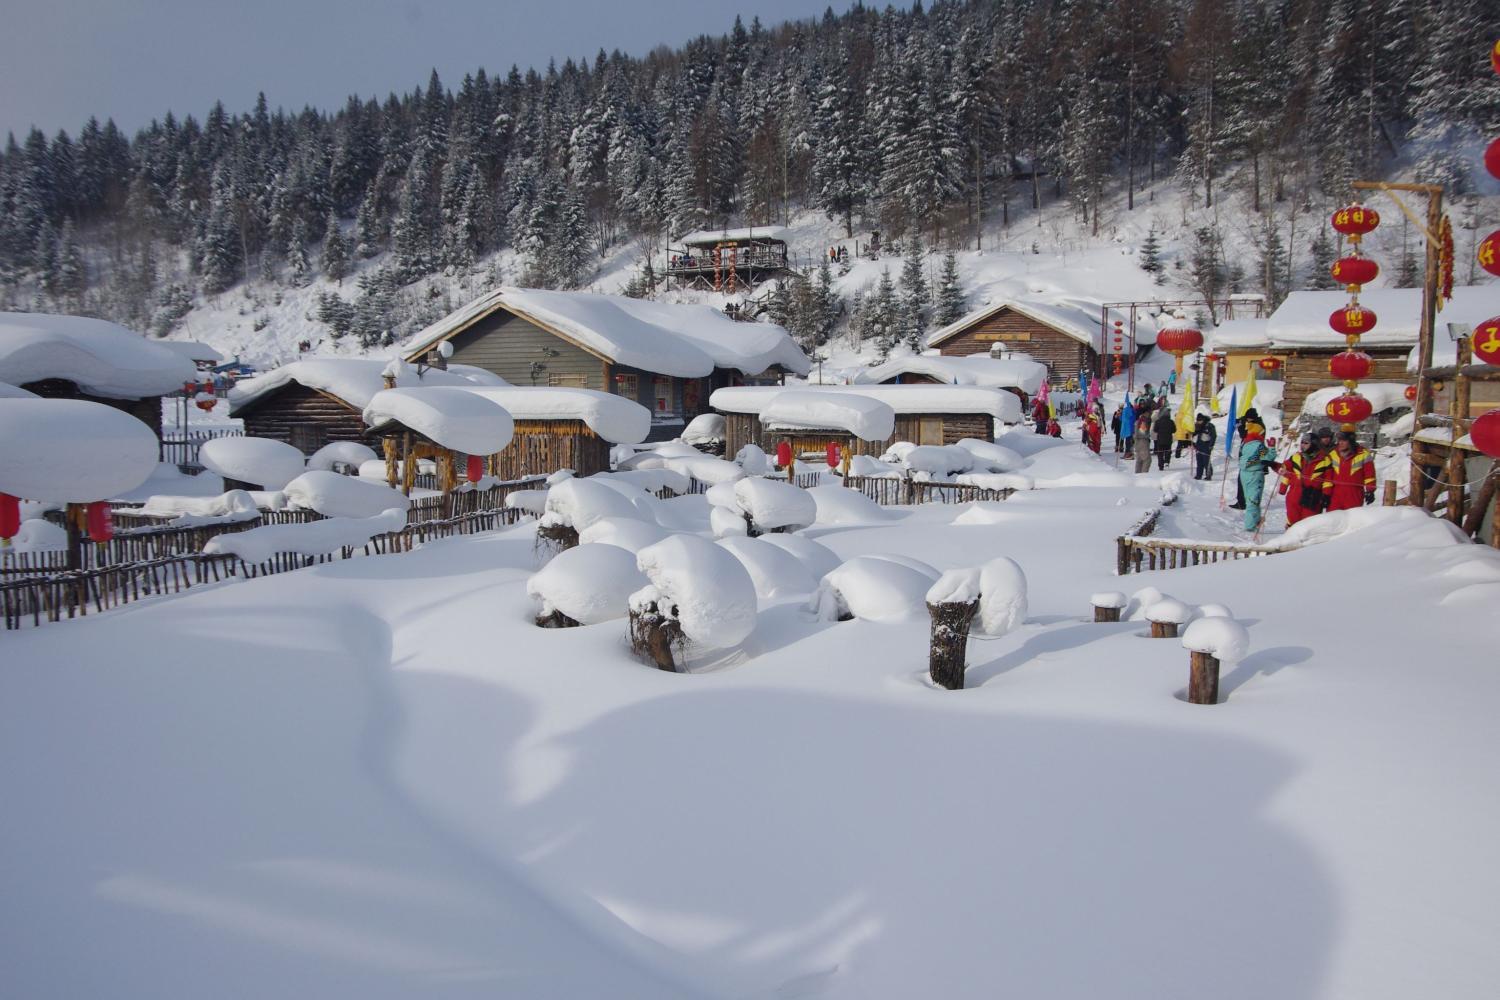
column 665, row 358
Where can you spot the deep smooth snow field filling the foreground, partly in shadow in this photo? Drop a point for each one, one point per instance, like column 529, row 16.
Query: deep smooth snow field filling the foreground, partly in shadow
column 379, row 779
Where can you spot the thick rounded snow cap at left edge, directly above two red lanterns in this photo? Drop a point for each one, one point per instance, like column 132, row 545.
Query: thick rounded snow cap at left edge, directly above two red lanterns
column 71, row 451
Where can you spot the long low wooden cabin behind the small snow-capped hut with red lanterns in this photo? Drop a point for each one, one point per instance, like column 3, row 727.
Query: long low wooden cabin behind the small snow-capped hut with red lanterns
column 922, row 416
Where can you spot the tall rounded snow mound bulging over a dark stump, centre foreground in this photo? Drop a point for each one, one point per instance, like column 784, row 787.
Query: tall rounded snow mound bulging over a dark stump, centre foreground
column 703, row 587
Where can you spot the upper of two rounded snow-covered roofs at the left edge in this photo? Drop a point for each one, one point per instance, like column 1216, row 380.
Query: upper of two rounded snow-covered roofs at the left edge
column 103, row 359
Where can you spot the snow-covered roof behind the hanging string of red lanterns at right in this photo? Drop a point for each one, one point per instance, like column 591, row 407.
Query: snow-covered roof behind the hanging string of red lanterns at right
column 1301, row 322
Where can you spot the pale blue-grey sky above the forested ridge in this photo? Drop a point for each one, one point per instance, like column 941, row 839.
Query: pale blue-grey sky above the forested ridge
column 62, row 61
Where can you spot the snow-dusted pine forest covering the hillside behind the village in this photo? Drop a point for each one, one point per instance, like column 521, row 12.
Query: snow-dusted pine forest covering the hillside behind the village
column 947, row 122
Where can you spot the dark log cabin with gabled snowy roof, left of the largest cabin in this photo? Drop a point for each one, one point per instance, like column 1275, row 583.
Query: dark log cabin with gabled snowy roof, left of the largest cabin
column 319, row 401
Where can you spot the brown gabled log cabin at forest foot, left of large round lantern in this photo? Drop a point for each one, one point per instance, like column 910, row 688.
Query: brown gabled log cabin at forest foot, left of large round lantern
column 1061, row 337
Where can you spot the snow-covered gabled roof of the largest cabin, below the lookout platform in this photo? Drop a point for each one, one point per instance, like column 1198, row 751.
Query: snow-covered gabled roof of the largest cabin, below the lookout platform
column 686, row 341
